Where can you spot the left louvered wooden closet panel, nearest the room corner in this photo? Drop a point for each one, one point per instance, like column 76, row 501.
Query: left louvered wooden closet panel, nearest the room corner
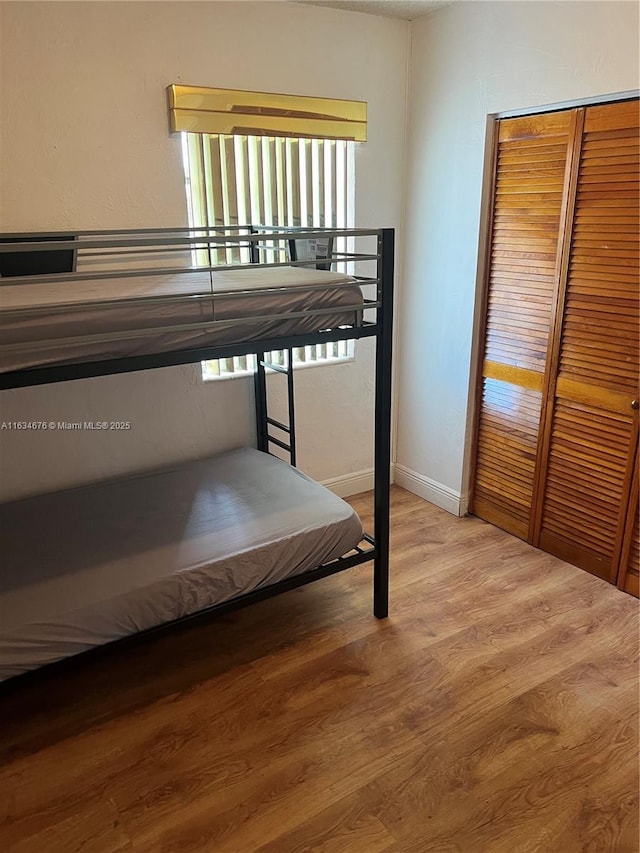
column 530, row 193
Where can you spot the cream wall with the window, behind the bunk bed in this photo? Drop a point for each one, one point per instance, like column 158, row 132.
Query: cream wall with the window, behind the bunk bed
column 84, row 143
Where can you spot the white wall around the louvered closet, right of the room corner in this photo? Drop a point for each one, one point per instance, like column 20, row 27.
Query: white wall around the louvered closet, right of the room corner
column 469, row 60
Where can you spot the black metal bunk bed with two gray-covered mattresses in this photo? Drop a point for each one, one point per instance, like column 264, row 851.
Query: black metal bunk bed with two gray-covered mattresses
column 125, row 557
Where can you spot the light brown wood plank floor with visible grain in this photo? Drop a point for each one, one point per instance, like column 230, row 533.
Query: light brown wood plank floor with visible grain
column 494, row 712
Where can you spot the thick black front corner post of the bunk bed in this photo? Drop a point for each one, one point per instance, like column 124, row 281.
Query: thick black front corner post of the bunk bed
column 382, row 450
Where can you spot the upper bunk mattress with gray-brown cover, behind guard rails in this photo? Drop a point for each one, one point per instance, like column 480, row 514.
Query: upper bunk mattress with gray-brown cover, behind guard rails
column 47, row 323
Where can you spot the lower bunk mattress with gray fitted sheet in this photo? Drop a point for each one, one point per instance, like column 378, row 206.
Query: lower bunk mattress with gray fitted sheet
column 89, row 565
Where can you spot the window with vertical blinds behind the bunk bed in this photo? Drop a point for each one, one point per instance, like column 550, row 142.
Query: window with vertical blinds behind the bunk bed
column 280, row 181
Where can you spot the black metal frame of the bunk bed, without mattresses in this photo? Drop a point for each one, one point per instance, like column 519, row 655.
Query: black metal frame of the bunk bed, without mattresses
column 376, row 547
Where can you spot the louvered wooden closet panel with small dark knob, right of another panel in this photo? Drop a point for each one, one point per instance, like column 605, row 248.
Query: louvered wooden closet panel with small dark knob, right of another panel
column 592, row 428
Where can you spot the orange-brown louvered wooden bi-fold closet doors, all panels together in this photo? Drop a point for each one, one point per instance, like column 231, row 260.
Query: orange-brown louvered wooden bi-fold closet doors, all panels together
column 557, row 427
